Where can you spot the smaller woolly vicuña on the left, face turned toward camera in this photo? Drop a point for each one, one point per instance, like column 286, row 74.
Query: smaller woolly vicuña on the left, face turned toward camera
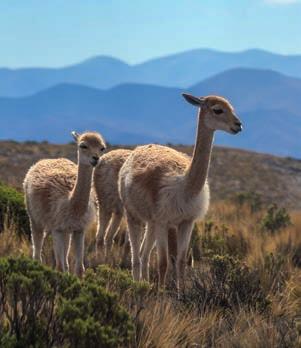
column 58, row 200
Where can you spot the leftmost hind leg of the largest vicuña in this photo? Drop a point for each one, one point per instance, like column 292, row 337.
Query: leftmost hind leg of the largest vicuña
column 135, row 230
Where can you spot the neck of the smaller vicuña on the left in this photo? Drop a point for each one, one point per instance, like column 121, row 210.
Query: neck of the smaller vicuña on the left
column 80, row 195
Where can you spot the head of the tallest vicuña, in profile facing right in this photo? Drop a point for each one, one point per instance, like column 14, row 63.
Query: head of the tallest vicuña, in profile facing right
column 218, row 113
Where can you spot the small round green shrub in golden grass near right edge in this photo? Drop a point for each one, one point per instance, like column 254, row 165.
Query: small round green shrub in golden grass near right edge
column 275, row 219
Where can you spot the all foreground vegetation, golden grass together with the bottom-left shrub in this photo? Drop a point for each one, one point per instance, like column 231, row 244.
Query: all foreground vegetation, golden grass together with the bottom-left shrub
column 243, row 291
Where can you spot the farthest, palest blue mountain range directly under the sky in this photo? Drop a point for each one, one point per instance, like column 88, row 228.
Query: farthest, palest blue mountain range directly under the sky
column 178, row 70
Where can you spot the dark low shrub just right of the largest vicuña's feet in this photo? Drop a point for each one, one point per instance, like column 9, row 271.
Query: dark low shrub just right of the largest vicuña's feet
column 228, row 283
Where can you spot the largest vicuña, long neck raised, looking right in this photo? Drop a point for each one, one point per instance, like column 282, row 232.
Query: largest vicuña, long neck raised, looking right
column 166, row 190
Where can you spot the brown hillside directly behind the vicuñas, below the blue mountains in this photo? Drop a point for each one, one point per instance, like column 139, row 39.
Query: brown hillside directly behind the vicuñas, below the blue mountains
column 277, row 179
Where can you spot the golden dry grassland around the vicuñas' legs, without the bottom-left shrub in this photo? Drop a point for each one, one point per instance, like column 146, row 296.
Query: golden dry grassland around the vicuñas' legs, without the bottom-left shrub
column 244, row 289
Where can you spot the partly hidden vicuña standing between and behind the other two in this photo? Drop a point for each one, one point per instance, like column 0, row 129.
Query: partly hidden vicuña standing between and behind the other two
column 110, row 206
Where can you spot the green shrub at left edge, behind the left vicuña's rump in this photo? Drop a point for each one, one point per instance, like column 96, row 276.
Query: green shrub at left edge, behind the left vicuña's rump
column 13, row 211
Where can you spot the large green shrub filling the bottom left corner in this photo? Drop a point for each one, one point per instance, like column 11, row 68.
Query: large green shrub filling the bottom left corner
column 40, row 307
